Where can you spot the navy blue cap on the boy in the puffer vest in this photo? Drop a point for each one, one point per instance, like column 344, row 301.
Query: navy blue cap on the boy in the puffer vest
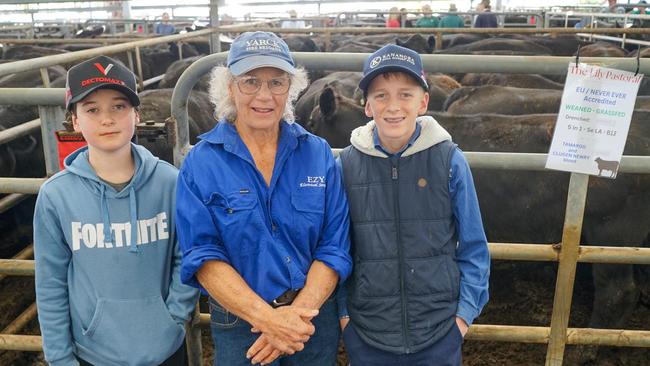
column 393, row 58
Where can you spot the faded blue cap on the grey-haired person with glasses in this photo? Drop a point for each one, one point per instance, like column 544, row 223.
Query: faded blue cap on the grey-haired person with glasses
column 252, row 50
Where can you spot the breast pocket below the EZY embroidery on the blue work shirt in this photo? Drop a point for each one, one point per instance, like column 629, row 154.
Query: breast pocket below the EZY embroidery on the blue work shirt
column 308, row 214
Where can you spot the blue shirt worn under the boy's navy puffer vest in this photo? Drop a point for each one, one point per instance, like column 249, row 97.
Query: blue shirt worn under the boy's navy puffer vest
column 472, row 255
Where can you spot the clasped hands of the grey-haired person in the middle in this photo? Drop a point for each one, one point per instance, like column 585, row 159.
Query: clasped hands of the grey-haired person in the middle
column 284, row 332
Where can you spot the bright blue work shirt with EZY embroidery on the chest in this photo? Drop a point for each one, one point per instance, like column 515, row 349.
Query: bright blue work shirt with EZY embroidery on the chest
column 270, row 234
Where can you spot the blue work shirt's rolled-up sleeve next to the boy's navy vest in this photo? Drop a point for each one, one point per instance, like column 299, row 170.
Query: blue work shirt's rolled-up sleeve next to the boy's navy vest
column 334, row 246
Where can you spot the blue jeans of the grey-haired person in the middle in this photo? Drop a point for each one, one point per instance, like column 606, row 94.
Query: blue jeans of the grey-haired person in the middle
column 232, row 337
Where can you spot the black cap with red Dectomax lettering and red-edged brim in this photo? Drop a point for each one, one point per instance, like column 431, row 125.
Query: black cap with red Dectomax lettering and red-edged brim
column 99, row 73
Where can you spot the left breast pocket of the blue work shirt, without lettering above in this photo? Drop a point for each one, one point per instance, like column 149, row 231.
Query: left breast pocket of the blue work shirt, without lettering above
column 237, row 220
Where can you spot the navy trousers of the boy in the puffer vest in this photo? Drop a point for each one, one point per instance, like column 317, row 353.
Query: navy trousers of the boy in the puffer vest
column 445, row 352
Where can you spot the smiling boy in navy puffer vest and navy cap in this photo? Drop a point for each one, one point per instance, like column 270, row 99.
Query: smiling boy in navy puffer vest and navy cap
column 420, row 253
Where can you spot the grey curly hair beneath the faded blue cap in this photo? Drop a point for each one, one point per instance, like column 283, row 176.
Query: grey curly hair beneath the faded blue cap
column 221, row 79
